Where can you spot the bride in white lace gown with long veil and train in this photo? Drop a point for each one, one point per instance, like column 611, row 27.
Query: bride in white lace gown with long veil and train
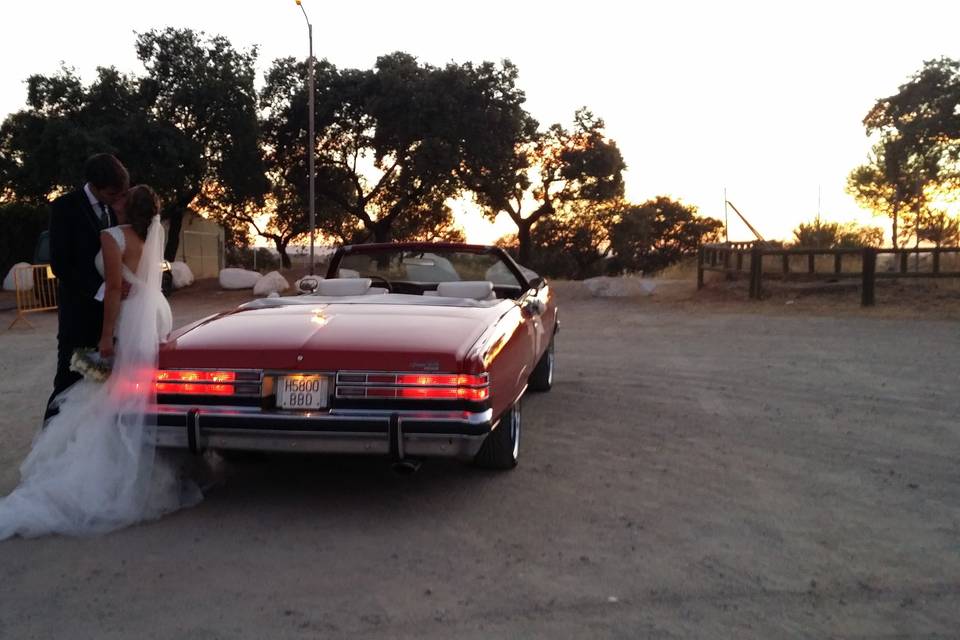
column 94, row 467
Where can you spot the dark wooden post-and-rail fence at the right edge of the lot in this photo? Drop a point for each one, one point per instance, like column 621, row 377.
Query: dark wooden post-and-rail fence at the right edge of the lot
column 759, row 261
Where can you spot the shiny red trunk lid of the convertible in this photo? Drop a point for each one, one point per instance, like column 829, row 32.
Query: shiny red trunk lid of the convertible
column 333, row 336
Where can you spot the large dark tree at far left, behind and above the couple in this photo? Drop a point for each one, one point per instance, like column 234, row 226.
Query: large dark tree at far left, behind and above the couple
column 187, row 126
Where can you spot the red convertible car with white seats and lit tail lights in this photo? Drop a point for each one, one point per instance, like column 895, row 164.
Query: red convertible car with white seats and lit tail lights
column 407, row 350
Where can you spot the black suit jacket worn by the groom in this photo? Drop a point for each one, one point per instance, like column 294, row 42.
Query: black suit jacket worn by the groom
column 74, row 244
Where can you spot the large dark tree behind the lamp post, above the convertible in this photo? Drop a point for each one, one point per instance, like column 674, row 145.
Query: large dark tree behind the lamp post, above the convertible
column 391, row 140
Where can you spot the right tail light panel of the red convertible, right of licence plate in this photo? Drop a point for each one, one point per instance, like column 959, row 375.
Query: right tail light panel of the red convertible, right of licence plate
column 413, row 386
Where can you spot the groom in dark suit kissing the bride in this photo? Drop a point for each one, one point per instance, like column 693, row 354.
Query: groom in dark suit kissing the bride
column 76, row 220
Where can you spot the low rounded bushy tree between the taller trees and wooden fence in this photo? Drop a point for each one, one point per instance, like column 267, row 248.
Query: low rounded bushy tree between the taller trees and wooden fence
column 651, row 236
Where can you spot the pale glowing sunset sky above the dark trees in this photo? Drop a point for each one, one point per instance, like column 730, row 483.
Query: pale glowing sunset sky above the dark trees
column 763, row 99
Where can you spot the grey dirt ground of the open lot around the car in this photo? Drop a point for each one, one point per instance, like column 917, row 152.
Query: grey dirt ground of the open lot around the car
column 705, row 467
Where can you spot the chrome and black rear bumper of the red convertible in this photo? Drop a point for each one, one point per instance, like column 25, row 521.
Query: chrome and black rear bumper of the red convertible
column 398, row 434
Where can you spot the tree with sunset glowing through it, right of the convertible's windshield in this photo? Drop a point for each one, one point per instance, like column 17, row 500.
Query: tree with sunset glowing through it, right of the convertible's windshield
column 548, row 170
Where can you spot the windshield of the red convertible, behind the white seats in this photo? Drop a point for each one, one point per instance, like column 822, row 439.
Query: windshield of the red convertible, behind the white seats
column 427, row 267
